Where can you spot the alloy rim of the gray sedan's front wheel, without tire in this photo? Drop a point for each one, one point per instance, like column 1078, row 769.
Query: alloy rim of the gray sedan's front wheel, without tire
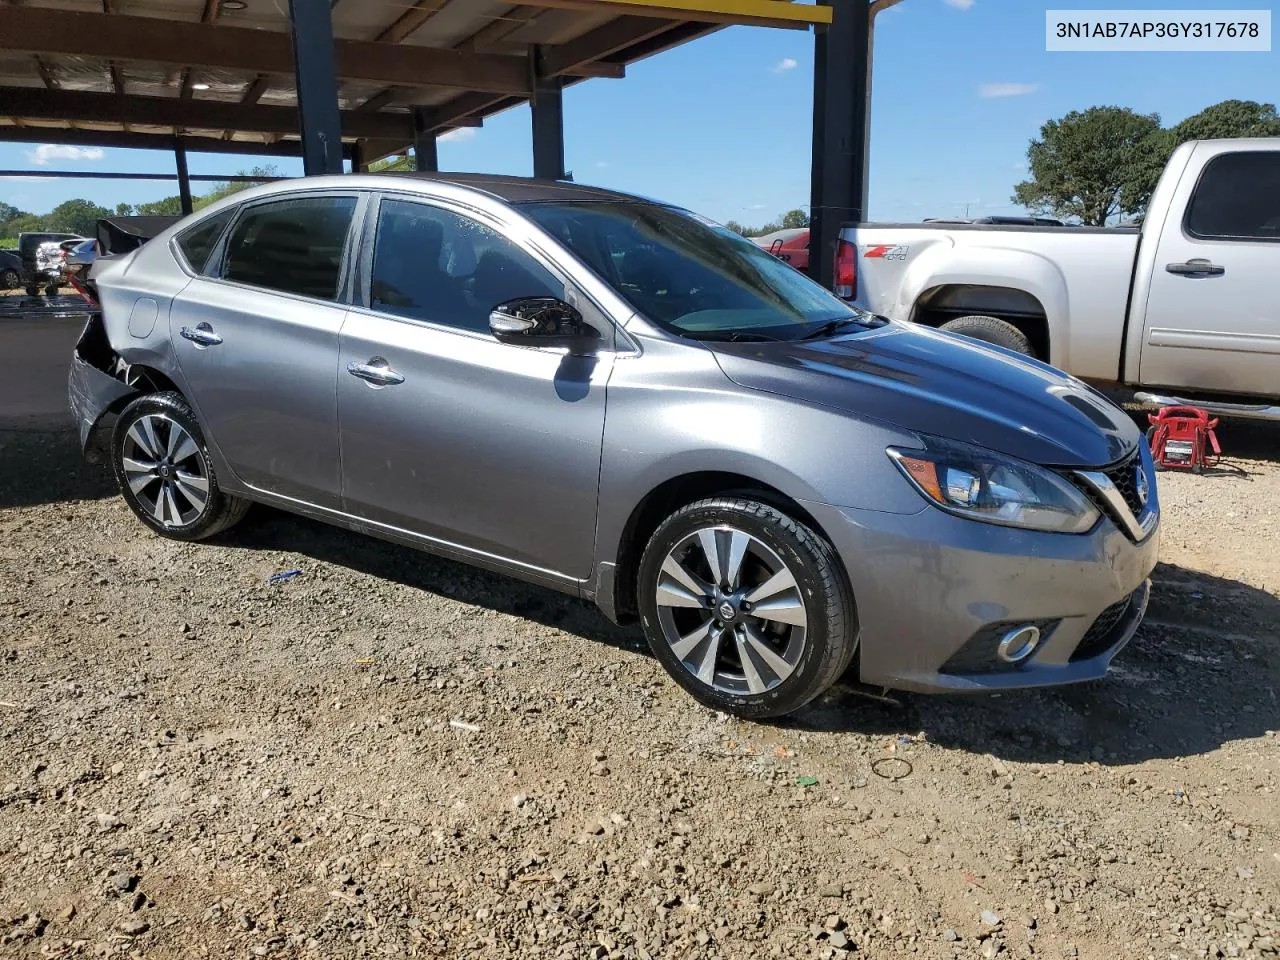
column 732, row 611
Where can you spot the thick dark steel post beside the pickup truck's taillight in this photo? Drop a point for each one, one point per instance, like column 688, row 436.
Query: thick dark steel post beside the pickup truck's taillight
column 840, row 116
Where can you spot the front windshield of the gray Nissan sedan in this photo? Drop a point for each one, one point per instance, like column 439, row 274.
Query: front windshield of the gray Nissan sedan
column 691, row 276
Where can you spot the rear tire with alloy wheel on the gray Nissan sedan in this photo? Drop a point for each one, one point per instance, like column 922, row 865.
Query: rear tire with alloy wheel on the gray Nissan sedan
column 168, row 478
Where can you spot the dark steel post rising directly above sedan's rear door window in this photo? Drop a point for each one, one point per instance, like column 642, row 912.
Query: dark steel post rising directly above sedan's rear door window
column 317, row 85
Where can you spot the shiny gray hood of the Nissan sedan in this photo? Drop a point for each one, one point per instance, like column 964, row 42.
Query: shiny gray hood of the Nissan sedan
column 945, row 386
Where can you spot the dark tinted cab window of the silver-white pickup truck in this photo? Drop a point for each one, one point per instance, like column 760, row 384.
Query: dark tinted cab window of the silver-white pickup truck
column 1238, row 198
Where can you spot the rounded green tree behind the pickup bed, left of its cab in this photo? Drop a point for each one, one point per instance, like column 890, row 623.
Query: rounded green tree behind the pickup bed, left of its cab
column 1092, row 166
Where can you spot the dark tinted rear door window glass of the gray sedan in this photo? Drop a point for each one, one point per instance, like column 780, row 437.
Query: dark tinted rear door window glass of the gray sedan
column 292, row 246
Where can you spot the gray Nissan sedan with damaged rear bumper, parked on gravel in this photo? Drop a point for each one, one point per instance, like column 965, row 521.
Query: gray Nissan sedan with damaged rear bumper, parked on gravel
column 621, row 401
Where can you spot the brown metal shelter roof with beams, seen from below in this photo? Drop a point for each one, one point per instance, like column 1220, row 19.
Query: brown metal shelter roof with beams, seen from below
column 120, row 72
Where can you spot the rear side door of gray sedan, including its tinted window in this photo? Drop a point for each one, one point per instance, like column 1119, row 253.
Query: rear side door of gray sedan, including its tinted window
column 257, row 336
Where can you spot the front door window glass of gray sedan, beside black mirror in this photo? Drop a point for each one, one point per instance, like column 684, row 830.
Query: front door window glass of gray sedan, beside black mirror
column 432, row 264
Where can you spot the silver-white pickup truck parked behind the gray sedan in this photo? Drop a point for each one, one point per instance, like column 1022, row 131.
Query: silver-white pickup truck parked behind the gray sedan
column 1187, row 308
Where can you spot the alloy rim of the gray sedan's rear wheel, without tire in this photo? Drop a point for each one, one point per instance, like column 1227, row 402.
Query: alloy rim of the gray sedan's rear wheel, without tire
column 164, row 470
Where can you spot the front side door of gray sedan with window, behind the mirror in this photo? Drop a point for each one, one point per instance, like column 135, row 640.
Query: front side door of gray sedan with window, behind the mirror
column 449, row 433
